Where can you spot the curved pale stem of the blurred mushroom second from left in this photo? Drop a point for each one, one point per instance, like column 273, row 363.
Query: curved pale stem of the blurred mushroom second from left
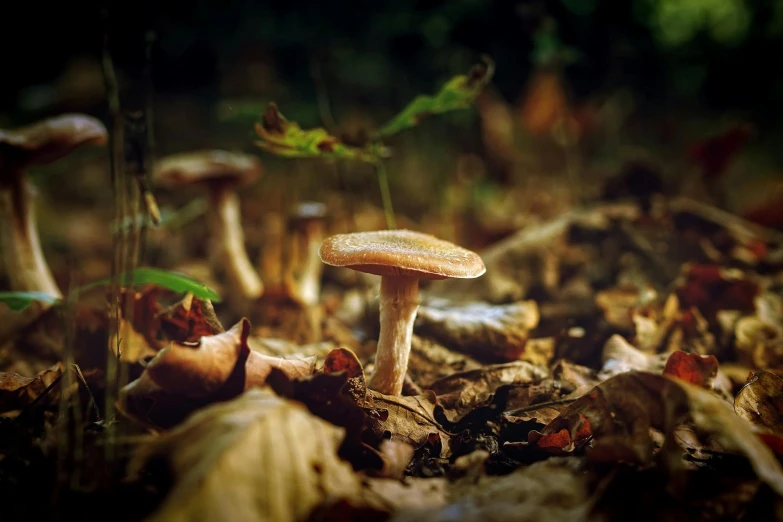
column 230, row 254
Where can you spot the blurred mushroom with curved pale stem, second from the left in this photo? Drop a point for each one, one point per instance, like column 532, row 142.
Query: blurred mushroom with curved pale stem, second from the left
column 219, row 172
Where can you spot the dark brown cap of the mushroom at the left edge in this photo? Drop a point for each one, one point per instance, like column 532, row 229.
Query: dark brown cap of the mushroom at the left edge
column 50, row 139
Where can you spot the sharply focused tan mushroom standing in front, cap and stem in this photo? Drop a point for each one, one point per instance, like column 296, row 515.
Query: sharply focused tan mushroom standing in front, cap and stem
column 401, row 258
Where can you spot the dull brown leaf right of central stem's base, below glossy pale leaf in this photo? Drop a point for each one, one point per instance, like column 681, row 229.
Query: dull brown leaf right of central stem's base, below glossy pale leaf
column 463, row 392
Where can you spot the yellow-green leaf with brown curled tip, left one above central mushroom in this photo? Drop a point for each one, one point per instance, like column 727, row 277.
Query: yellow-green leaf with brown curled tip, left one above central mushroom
column 284, row 138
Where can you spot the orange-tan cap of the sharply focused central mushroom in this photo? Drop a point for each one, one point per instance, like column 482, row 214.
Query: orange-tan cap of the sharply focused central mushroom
column 401, row 253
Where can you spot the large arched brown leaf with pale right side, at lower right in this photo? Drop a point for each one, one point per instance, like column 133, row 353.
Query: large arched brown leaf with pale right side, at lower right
column 618, row 414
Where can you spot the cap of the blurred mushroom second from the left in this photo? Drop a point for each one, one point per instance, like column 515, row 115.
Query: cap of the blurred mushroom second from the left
column 207, row 167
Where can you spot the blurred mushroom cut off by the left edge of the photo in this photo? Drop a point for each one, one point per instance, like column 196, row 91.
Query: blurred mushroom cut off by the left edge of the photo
column 37, row 144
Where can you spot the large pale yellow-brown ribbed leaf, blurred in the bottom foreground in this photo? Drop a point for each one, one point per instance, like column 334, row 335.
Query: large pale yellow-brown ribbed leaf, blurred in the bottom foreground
column 255, row 458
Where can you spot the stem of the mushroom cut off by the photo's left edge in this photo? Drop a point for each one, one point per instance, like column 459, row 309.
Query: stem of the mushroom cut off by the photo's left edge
column 24, row 260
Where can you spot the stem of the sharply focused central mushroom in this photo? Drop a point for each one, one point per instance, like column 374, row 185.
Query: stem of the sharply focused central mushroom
column 399, row 302
